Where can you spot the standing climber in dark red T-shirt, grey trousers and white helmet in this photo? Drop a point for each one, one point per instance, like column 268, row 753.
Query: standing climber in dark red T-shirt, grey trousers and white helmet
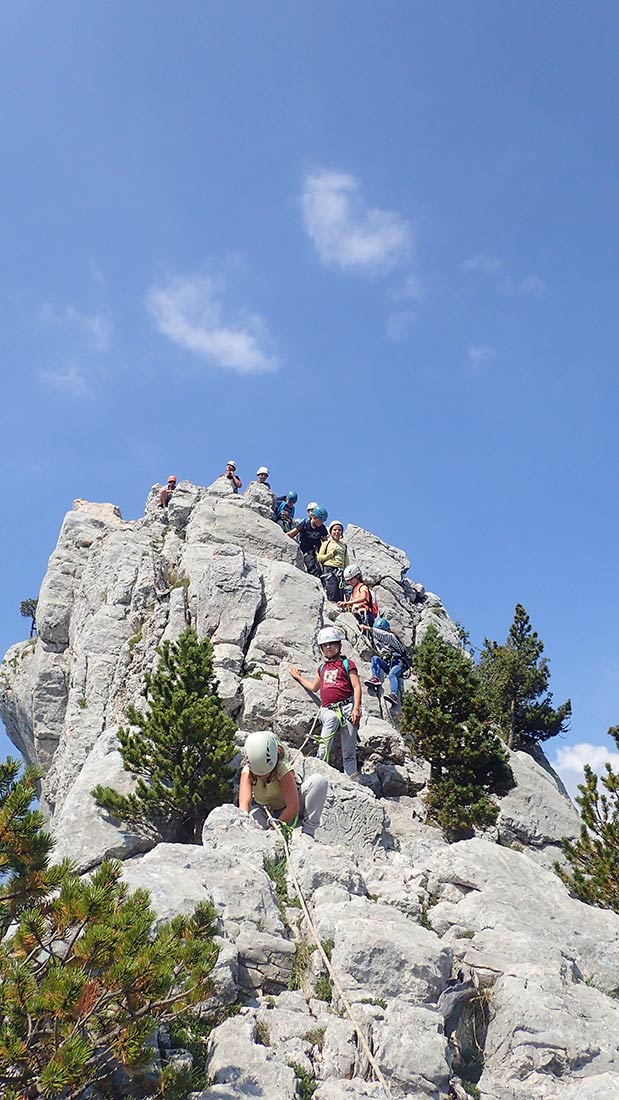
column 340, row 699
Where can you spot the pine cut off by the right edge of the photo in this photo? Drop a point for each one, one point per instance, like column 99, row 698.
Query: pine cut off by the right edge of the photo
column 594, row 857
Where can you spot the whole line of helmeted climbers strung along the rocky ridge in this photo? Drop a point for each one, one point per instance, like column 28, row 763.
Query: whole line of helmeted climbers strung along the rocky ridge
column 269, row 790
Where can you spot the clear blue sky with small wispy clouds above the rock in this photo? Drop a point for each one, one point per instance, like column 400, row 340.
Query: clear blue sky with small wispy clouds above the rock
column 370, row 246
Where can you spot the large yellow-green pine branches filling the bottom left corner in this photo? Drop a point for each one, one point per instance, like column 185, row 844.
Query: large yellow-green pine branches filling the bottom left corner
column 84, row 976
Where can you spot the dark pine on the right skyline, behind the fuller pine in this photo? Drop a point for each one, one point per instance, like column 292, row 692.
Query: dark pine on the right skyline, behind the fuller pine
column 516, row 680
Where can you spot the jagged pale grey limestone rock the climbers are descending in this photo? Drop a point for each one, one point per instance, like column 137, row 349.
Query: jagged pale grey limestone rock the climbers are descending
column 463, row 963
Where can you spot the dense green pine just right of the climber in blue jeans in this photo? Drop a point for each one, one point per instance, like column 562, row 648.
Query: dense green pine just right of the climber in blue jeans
column 446, row 722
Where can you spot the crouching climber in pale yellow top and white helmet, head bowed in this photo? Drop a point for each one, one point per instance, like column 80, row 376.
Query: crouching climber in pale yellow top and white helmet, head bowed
column 269, row 784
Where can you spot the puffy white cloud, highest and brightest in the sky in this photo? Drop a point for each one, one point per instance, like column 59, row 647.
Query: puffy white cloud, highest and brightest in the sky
column 345, row 232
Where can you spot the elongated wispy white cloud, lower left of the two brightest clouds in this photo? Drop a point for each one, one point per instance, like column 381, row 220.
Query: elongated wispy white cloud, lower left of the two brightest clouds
column 186, row 310
